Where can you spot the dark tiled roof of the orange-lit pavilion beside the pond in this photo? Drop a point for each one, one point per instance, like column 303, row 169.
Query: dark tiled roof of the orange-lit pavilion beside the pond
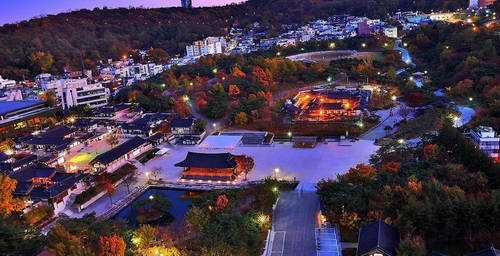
column 202, row 160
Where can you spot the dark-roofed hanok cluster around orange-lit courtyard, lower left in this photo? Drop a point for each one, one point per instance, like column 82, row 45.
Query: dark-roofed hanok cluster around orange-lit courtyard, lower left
column 47, row 186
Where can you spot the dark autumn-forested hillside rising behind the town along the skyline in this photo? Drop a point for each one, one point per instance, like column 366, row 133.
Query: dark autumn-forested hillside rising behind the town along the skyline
column 82, row 37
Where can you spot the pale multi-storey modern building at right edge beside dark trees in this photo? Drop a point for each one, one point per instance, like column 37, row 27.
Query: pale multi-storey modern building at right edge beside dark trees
column 487, row 140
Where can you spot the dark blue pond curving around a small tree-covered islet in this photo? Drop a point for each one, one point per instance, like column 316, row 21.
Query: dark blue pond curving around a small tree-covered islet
column 180, row 200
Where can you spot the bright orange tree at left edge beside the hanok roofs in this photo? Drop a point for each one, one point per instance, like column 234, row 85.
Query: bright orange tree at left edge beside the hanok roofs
column 9, row 203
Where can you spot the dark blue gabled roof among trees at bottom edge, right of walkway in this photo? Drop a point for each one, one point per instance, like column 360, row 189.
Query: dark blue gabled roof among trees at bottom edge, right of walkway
column 378, row 235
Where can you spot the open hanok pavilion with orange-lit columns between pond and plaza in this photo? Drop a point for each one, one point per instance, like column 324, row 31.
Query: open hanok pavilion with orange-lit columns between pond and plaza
column 201, row 166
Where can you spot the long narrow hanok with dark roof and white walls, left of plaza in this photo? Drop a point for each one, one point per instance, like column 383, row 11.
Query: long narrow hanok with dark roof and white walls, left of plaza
column 116, row 157
